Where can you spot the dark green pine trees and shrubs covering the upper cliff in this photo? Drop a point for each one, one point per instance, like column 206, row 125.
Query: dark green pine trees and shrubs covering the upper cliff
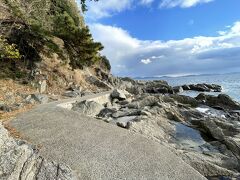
column 44, row 19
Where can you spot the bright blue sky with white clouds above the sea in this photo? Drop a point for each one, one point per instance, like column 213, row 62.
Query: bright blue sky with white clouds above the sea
column 146, row 38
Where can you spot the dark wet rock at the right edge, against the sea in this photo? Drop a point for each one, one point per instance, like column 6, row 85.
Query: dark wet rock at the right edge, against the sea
column 222, row 100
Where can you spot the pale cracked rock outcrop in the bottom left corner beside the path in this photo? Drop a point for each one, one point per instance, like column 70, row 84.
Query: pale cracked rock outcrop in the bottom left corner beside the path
column 19, row 160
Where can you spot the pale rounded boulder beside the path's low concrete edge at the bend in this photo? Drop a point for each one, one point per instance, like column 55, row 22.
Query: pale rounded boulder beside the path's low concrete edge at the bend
column 89, row 108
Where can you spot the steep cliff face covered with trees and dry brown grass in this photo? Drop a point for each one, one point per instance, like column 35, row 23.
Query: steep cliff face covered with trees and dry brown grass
column 53, row 44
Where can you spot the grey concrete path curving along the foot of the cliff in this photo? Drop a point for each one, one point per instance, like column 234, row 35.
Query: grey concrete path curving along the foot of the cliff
column 98, row 150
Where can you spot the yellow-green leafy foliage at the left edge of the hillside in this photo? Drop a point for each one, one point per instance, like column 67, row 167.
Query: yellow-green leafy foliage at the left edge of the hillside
column 8, row 51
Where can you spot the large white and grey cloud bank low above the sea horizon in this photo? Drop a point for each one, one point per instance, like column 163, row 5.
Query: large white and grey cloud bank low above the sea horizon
column 196, row 55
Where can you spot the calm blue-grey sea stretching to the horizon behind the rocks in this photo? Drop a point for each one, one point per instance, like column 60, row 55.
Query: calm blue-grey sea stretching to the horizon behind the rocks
column 229, row 82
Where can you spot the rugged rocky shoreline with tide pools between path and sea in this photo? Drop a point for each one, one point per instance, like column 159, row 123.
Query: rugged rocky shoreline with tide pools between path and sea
column 204, row 131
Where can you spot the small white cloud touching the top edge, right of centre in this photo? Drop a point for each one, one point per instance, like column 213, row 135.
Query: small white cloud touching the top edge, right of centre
column 182, row 3
